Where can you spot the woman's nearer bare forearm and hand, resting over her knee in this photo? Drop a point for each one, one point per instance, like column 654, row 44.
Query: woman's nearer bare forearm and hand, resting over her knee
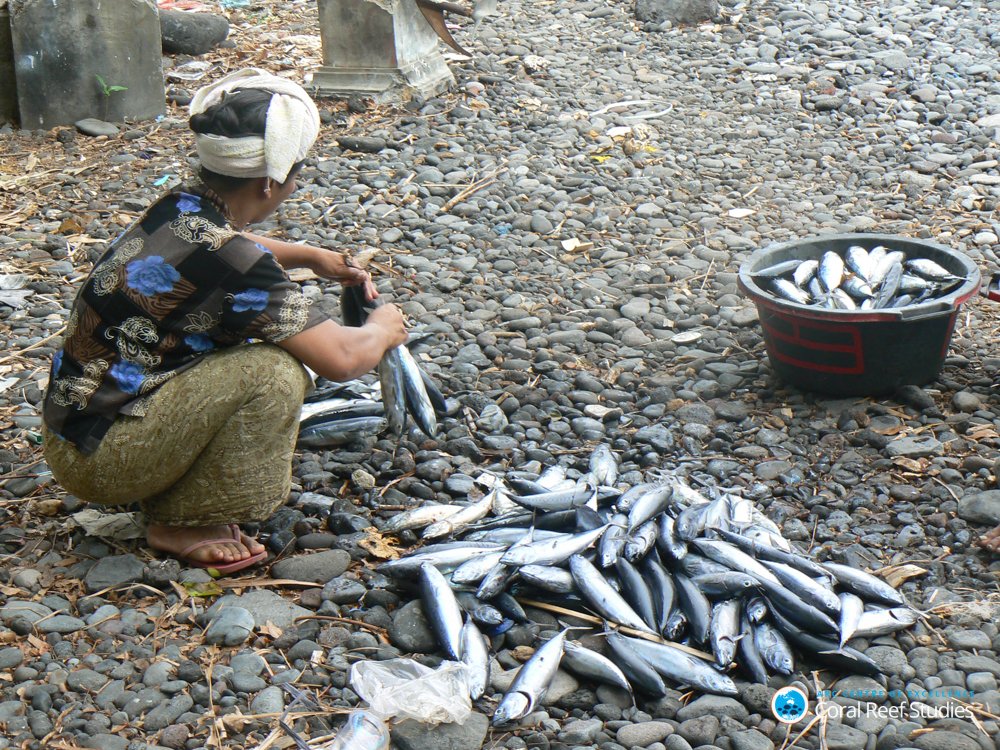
column 341, row 353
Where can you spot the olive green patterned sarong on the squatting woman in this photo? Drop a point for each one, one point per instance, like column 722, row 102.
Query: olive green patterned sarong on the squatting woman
column 215, row 444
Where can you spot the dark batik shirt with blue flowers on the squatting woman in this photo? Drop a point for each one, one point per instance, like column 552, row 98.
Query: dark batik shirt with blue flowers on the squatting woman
column 175, row 286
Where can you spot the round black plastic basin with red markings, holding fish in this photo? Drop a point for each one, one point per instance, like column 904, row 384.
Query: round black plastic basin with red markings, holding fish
column 857, row 352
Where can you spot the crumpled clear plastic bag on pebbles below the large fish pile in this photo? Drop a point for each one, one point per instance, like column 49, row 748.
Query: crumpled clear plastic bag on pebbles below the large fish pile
column 405, row 689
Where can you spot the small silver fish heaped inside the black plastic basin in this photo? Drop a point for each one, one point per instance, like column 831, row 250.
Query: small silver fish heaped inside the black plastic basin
column 861, row 279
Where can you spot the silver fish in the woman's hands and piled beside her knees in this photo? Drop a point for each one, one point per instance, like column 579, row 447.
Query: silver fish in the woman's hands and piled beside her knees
column 339, row 413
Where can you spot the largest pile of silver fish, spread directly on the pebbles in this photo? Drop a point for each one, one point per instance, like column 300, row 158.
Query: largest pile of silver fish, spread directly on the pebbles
column 674, row 573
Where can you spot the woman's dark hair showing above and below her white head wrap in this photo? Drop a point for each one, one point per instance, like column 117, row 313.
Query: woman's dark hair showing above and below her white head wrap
column 241, row 113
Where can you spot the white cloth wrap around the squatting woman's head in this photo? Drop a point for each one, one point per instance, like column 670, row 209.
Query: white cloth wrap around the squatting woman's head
column 291, row 130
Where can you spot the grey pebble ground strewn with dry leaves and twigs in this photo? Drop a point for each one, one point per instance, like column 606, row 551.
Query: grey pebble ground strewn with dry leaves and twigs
column 585, row 292
